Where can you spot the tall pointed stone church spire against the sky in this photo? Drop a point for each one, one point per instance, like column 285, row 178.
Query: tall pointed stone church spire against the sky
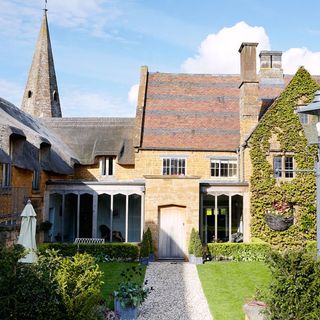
column 41, row 97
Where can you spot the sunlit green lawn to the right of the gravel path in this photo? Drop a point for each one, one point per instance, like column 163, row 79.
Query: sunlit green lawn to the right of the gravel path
column 228, row 285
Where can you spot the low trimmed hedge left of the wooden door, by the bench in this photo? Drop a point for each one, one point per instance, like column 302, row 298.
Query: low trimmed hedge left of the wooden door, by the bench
column 114, row 251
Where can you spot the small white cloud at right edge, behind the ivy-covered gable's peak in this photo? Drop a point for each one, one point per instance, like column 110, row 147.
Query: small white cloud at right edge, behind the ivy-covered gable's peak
column 293, row 58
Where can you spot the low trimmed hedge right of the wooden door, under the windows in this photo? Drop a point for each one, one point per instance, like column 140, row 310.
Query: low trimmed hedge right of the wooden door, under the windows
column 239, row 251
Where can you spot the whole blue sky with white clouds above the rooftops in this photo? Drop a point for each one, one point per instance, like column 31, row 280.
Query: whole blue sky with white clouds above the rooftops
column 99, row 45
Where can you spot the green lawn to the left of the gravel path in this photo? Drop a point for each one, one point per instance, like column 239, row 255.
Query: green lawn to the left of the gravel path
column 112, row 277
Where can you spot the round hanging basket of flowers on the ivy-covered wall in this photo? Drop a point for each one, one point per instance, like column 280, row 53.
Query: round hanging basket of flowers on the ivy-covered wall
column 280, row 216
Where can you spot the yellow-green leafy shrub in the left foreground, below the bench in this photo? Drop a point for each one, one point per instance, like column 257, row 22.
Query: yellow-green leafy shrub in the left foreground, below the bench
column 79, row 280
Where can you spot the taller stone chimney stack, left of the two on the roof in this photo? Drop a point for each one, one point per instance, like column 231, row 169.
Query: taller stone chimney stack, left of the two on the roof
column 249, row 85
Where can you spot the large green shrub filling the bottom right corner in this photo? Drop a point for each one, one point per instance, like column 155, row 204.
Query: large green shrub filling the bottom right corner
column 295, row 286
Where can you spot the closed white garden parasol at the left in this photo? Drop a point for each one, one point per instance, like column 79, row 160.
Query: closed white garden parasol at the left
column 27, row 236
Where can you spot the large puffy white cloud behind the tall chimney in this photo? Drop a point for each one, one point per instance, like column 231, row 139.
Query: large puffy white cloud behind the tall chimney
column 218, row 53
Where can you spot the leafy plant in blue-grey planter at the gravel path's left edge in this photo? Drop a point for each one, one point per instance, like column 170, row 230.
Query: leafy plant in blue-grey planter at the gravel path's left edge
column 130, row 295
